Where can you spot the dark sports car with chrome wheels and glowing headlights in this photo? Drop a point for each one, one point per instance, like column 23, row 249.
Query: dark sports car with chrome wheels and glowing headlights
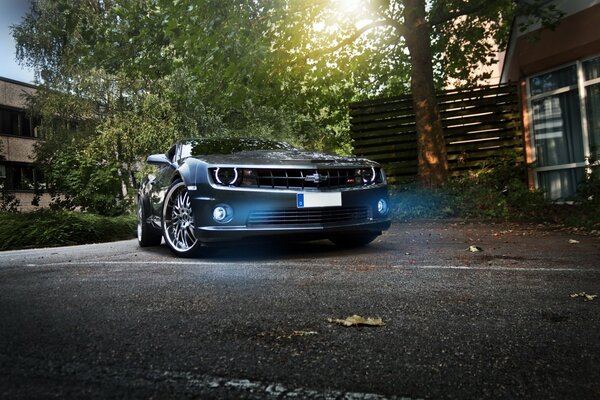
column 210, row 191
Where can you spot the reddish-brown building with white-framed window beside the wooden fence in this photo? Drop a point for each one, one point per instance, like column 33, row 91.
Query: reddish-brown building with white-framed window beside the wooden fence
column 559, row 74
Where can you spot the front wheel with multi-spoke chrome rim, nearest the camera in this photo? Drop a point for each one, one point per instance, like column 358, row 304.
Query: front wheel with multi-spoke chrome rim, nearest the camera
column 178, row 222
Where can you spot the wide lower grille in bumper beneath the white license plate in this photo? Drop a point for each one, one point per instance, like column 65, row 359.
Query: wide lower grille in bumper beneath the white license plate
column 293, row 216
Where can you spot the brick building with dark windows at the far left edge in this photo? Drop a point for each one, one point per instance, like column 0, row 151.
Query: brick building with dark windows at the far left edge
column 18, row 135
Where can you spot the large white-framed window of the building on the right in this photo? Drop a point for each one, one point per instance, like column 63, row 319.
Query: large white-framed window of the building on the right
column 565, row 116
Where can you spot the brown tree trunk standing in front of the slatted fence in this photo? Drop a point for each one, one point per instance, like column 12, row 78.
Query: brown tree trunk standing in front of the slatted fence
column 431, row 145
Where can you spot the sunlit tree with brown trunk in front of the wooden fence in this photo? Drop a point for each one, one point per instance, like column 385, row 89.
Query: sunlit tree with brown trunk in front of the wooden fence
column 433, row 41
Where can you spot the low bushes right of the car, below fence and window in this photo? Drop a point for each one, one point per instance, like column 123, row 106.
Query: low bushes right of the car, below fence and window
column 497, row 192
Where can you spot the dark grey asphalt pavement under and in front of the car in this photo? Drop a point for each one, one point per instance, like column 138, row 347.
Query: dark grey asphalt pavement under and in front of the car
column 116, row 321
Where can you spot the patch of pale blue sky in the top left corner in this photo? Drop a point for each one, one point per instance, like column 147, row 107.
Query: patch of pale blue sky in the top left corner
column 11, row 12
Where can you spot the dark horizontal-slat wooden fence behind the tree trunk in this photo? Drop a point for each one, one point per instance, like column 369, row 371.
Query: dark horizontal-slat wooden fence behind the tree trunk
column 479, row 124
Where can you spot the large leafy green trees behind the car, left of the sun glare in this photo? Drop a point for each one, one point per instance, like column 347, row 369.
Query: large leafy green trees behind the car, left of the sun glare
column 120, row 79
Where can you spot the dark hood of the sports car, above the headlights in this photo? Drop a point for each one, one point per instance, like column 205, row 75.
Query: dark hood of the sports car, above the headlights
column 285, row 158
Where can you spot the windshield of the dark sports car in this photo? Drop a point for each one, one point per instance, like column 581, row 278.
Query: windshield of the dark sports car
column 198, row 147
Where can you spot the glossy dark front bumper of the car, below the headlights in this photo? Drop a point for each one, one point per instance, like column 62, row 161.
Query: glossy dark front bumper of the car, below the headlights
column 357, row 213
